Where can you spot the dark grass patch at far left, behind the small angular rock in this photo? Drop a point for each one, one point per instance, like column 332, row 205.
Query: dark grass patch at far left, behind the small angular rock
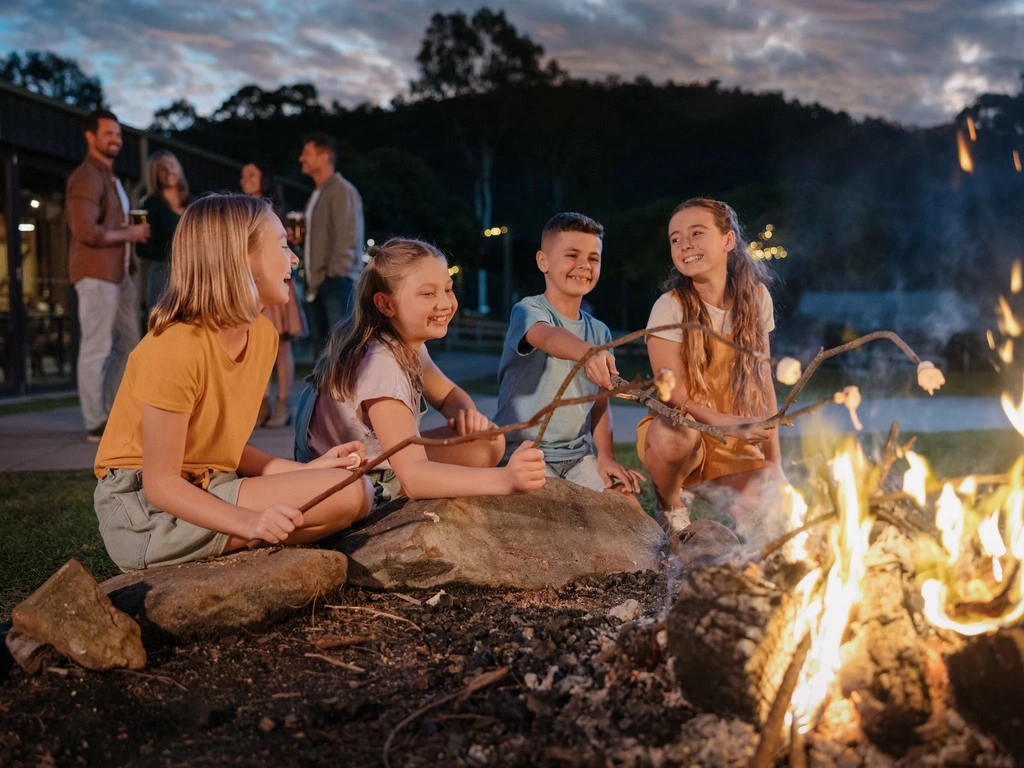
column 46, row 520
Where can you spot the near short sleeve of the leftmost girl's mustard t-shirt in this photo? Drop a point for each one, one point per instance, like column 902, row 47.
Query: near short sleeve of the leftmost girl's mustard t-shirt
column 172, row 373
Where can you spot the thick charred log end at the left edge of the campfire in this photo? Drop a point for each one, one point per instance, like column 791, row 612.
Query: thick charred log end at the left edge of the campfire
column 740, row 626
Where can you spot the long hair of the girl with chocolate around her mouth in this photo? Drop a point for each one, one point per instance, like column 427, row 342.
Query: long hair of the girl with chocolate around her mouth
column 336, row 369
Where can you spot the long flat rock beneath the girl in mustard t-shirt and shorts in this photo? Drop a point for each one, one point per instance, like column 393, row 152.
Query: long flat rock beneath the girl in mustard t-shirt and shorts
column 217, row 598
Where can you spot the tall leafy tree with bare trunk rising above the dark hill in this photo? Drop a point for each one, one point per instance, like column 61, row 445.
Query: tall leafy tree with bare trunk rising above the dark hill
column 475, row 65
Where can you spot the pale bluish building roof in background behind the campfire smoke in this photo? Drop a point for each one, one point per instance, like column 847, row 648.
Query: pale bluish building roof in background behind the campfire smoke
column 937, row 314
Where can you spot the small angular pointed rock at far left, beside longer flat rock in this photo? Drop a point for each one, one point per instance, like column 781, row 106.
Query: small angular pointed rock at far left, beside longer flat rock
column 71, row 613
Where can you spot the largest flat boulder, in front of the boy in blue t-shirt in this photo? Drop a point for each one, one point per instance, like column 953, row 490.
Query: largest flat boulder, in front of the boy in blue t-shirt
column 550, row 537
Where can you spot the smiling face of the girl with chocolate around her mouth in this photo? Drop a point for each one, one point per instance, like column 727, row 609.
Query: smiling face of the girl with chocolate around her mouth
column 424, row 304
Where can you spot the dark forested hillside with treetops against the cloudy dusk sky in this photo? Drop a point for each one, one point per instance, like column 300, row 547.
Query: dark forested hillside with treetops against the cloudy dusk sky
column 495, row 134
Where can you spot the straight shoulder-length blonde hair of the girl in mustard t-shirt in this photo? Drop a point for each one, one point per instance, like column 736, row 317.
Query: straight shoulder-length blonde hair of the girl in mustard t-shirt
column 211, row 282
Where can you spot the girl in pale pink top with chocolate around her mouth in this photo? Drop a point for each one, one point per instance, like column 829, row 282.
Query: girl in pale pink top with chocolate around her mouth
column 376, row 372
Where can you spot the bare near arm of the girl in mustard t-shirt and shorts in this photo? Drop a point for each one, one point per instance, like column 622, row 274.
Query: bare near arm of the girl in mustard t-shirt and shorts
column 163, row 452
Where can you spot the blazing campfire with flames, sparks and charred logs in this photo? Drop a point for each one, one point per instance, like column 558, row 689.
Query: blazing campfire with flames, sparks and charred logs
column 881, row 623
